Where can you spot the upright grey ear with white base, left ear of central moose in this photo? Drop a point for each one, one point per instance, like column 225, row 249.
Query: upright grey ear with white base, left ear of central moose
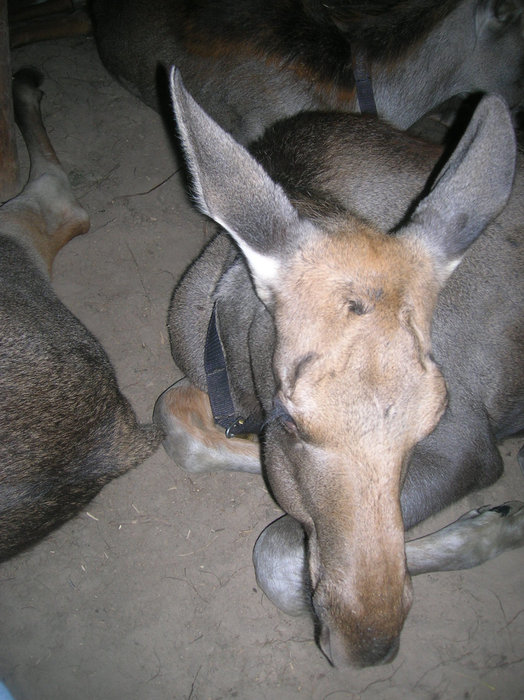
column 234, row 190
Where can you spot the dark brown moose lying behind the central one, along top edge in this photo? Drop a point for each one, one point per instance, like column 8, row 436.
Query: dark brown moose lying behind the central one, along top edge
column 252, row 62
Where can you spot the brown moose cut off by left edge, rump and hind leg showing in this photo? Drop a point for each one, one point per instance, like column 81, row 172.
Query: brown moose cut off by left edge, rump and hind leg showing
column 65, row 428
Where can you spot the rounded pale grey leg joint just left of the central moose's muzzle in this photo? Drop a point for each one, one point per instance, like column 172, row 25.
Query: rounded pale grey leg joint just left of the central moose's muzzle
column 279, row 557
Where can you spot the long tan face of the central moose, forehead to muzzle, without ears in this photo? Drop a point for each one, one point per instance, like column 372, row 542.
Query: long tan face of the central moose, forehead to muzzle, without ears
column 353, row 361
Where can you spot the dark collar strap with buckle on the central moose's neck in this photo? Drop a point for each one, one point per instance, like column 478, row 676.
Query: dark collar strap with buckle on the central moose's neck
column 218, row 387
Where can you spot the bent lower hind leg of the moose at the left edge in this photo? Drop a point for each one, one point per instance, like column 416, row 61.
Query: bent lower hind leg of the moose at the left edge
column 45, row 215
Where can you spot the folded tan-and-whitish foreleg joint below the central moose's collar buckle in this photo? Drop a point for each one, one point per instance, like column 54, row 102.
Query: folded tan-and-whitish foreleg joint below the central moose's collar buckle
column 193, row 440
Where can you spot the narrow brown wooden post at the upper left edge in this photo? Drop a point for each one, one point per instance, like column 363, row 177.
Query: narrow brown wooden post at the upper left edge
column 9, row 174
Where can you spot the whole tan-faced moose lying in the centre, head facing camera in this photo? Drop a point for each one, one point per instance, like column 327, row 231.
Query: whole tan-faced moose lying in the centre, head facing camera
column 377, row 336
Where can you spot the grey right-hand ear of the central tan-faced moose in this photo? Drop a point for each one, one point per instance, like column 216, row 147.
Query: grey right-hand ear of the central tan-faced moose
column 472, row 187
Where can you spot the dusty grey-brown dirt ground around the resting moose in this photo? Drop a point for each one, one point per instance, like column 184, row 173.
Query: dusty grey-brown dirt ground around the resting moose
column 149, row 594
